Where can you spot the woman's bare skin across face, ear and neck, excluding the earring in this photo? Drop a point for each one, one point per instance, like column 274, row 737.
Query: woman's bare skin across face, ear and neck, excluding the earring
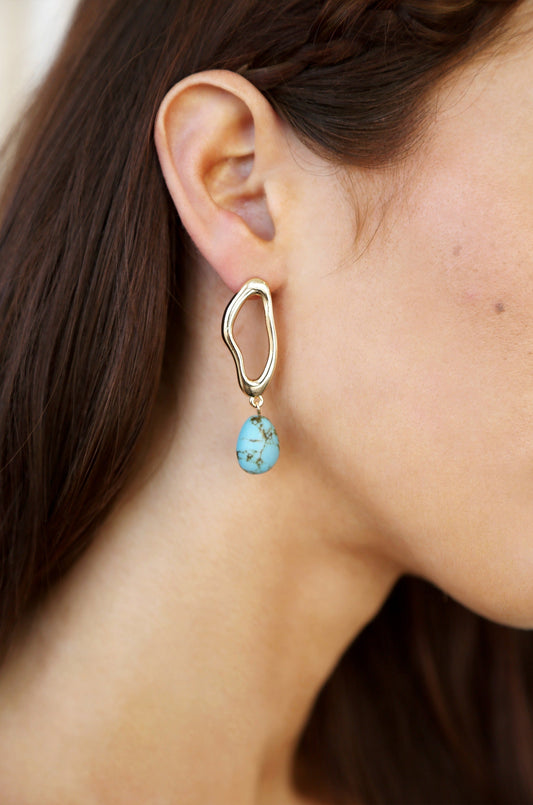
column 178, row 661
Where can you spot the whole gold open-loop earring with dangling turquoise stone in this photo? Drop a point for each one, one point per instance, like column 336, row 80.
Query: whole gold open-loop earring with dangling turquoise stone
column 258, row 443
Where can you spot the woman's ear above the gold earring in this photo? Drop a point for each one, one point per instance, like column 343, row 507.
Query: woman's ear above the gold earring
column 225, row 158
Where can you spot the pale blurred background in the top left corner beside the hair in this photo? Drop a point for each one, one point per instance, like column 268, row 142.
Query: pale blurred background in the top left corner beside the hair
column 30, row 33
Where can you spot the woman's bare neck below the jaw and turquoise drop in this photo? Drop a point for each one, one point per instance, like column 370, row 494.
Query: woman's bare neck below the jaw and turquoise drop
column 180, row 658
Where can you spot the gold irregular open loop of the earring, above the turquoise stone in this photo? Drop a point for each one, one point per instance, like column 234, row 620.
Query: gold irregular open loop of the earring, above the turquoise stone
column 254, row 287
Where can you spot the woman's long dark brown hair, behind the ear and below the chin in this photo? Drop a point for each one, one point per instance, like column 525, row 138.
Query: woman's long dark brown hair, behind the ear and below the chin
column 431, row 703
